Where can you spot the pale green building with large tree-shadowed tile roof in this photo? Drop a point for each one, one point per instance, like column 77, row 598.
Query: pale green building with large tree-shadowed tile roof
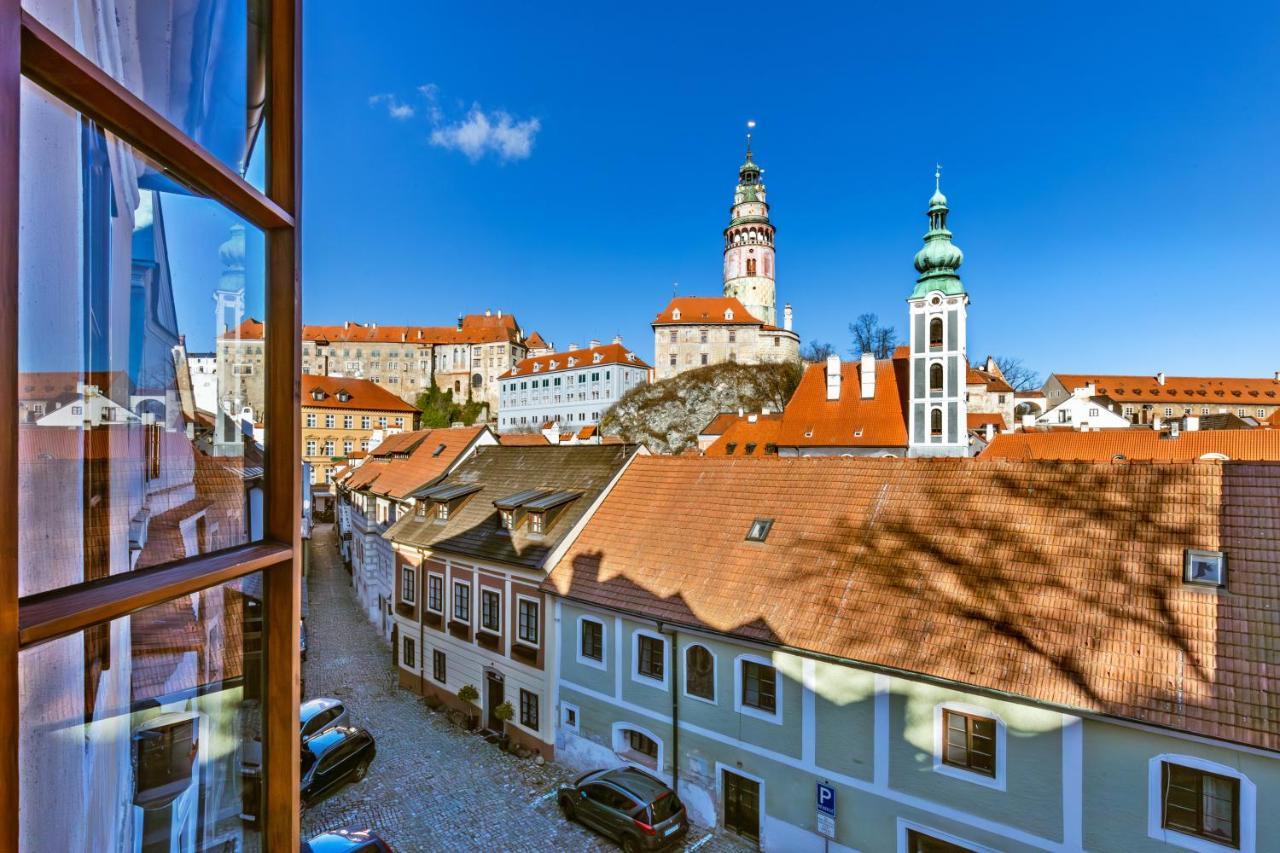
column 780, row 678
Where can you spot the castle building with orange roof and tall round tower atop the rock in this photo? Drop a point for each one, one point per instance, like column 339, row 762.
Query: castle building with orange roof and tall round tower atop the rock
column 740, row 326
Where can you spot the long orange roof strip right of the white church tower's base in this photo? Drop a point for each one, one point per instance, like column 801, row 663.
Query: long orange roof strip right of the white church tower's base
column 1137, row 445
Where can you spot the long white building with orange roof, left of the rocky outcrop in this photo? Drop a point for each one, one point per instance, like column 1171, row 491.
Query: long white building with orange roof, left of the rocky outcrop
column 572, row 389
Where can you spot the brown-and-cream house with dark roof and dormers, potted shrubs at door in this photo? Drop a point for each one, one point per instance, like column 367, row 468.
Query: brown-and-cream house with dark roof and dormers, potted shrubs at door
column 469, row 564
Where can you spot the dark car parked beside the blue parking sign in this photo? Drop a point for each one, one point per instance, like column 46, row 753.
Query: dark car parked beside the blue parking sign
column 637, row 810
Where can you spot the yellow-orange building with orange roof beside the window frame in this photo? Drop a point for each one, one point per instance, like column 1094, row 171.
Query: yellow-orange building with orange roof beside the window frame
column 340, row 418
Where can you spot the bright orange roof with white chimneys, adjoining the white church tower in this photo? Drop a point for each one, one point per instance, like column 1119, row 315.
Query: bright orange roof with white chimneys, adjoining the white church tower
column 812, row 421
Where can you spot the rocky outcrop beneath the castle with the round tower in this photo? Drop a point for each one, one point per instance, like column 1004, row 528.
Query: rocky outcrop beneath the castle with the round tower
column 666, row 417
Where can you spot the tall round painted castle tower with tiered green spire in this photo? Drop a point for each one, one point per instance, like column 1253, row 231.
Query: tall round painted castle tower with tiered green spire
column 749, row 244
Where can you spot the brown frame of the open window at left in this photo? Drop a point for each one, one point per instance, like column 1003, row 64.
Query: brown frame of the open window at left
column 30, row 49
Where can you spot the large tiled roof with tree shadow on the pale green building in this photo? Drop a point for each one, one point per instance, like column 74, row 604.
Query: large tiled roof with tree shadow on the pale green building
column 1062, row 583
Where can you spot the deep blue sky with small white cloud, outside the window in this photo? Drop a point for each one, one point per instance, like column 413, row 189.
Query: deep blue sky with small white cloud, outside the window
column 1113, row 174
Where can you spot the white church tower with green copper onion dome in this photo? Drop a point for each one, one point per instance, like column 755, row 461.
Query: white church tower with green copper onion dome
column 939, row 311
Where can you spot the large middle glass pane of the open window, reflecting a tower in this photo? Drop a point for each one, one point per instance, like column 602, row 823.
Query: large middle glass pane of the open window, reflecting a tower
column 140, row 412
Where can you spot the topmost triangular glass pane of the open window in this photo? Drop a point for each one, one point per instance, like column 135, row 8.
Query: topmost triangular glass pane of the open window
column 200, row 63
